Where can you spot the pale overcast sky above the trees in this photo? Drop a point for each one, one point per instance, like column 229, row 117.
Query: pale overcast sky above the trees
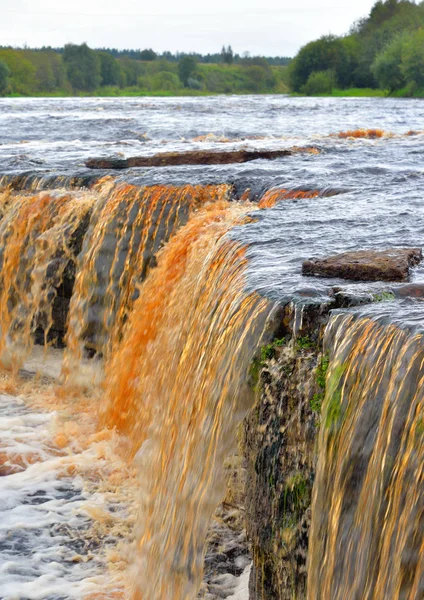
column 269, row 27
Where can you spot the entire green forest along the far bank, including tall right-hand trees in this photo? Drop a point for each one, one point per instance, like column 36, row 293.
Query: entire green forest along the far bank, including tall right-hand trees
column 382, row 54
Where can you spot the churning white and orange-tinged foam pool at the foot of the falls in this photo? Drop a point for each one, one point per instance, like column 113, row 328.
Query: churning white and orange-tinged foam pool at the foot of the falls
column 65, row 500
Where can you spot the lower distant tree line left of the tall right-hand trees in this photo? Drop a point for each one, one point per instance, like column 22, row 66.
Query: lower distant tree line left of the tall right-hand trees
column 79, row 69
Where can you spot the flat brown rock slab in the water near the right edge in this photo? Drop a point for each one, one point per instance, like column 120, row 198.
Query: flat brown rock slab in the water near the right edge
column 393, row 264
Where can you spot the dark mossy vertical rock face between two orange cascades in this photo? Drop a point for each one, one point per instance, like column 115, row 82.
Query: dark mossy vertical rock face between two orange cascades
column 279, row 443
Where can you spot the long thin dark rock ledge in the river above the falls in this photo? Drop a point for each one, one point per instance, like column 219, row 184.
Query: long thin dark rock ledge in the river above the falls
column 195, row 157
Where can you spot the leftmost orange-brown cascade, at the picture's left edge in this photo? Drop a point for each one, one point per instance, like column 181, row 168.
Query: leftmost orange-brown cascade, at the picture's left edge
column 40, row 238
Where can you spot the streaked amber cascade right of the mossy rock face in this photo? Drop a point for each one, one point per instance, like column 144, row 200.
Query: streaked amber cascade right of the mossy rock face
column 367, row 514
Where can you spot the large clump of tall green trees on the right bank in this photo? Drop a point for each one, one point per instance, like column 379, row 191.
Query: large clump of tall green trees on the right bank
column 384, row 50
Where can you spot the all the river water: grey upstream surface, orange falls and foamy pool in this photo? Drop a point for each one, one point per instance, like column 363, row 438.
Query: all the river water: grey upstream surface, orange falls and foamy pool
column 162, row 283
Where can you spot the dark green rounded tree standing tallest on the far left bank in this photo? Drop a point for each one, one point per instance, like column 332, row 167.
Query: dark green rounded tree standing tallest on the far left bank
column 82, row 66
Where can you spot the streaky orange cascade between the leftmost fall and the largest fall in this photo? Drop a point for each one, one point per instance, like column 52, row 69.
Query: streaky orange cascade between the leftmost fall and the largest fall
column 127, row 229
